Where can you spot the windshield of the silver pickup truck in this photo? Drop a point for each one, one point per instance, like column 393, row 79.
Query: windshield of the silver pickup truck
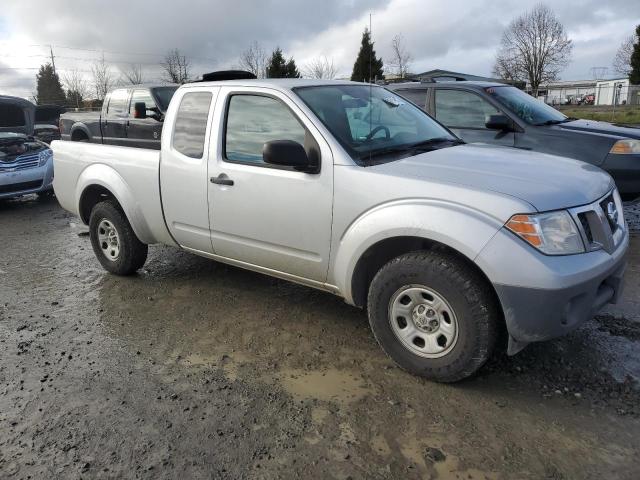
column 373, row 124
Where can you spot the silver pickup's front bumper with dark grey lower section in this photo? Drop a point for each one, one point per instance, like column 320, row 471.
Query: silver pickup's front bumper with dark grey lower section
column 544, row 297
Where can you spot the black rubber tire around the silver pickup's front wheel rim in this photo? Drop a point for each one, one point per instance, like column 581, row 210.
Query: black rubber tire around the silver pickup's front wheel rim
column 467, row 293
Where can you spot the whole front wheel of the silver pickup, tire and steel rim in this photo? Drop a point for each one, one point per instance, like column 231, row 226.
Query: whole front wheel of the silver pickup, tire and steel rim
column 433, row 315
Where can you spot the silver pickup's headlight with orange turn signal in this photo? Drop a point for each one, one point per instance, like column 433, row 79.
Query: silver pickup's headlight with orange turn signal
column 553, row 233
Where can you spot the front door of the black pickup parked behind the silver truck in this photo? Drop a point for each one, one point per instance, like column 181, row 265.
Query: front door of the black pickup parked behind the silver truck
column 144, row 132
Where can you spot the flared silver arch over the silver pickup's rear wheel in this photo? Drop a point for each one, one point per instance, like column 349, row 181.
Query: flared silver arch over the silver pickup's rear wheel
column 108, row 178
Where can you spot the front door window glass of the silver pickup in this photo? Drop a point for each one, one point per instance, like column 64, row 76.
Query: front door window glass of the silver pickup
column 252, row 121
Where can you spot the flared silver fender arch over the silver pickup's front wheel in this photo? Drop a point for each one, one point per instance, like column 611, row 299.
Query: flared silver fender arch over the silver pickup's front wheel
column 457, row 226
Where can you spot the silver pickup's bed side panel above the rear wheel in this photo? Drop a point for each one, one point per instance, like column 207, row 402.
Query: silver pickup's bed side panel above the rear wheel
column 132, row 174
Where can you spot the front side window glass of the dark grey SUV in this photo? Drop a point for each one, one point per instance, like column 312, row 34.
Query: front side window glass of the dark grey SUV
column 461, row 109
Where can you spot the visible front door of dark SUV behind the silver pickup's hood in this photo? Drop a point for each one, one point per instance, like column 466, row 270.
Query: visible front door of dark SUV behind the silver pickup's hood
column 465, row 112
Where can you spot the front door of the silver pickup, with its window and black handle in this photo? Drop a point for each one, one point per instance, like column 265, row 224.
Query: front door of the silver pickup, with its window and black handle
column 272, row 217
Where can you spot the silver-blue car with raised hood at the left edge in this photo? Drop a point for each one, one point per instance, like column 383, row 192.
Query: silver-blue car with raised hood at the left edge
column 26, row 164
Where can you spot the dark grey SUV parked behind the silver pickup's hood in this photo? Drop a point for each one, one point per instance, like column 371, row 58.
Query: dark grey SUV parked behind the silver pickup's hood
column 503, row 115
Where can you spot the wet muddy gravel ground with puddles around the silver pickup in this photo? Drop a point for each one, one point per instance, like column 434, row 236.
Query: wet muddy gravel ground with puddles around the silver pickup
column 194, row 369
